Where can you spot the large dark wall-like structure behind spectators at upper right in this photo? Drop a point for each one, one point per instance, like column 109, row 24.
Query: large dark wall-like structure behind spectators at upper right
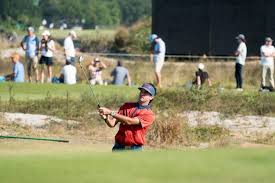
column 197, row 27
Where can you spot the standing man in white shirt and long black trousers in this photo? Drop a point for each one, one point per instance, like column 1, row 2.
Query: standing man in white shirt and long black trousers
column 240, row 53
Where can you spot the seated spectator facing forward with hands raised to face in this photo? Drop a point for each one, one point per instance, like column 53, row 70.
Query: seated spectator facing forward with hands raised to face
column 95, row 71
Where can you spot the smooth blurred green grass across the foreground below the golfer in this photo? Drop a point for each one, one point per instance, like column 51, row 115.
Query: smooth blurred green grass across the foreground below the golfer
column 190, row 166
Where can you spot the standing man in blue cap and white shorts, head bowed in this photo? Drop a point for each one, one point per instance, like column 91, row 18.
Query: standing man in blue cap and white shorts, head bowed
column 158, row 56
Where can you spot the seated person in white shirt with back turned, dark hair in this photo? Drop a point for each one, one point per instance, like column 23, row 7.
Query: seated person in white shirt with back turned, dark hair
column 68, row 74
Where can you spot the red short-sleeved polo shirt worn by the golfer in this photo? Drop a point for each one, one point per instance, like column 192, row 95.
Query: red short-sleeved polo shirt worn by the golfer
column 129, row 135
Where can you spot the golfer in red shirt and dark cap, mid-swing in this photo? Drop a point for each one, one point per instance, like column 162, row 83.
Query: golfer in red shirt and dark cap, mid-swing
column 134, row 119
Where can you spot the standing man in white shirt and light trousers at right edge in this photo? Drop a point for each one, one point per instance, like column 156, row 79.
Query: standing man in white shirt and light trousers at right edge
column 267, row 62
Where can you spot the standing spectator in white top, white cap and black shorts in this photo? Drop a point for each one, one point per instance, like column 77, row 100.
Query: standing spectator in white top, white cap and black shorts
column 47, row 50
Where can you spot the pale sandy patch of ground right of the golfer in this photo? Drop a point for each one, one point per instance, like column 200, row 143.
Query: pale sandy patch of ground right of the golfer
column 240, row 126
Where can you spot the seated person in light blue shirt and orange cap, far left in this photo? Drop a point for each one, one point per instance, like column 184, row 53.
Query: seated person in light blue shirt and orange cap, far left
column 18, row 74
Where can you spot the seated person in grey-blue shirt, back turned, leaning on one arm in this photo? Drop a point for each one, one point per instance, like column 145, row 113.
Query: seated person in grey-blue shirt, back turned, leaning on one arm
column 119, row 74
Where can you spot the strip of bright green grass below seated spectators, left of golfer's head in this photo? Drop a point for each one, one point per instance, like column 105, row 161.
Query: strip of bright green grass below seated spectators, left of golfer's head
column 26, row 91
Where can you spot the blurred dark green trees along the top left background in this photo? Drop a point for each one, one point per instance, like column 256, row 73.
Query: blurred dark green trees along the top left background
column 87, row 13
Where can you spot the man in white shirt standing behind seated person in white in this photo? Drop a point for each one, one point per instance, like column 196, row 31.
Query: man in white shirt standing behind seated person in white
column 69, row 47
